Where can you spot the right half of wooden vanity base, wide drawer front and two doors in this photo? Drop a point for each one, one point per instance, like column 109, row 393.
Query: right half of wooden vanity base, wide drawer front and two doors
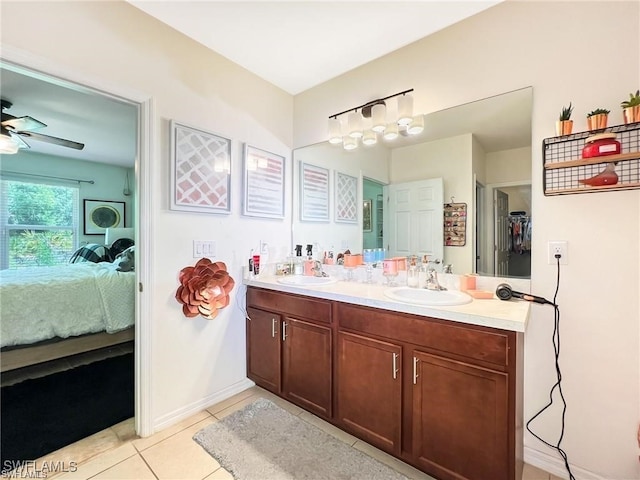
column 458, row 404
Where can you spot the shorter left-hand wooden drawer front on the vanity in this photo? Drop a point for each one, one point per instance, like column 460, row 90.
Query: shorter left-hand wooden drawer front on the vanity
column 294, row 305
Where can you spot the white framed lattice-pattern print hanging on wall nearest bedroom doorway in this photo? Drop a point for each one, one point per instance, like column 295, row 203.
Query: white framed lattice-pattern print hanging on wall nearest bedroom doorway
column 200, row 170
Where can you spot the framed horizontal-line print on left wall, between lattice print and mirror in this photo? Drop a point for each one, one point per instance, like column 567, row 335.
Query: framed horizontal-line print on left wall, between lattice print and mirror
column 263, row 183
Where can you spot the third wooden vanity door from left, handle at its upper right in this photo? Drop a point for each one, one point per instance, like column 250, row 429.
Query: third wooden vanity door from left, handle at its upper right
column 369, row 390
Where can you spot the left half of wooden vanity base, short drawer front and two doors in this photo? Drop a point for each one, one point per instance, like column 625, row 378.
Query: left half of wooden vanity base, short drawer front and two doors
column 289, row 348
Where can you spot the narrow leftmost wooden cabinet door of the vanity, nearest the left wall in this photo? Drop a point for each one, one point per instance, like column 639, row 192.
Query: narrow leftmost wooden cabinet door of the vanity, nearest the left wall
column 263, row 348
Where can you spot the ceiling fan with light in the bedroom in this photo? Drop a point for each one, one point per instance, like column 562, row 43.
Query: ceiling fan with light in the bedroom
column 13, row 128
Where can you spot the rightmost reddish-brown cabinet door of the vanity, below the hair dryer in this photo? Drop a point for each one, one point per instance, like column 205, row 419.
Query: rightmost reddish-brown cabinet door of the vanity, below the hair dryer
column 460, row 419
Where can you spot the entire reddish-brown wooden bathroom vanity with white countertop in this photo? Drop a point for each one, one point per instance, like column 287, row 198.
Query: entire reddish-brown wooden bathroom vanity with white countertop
column 439, row 388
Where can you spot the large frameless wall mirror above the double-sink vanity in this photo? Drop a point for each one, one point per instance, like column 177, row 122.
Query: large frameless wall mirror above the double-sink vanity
column 481, row 151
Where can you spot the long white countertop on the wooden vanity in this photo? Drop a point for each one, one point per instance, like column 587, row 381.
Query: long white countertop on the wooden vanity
column 506, row 315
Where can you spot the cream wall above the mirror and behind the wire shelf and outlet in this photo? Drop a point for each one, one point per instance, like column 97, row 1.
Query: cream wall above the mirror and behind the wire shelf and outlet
column 546, row 45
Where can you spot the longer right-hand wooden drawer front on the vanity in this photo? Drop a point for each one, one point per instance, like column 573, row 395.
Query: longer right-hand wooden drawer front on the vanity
column 477, row 343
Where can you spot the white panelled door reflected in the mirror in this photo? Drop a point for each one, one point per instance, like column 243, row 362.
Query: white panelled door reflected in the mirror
column 413, row 225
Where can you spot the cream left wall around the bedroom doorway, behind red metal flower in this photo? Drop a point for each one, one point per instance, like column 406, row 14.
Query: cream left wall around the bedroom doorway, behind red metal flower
column 193, row 361
